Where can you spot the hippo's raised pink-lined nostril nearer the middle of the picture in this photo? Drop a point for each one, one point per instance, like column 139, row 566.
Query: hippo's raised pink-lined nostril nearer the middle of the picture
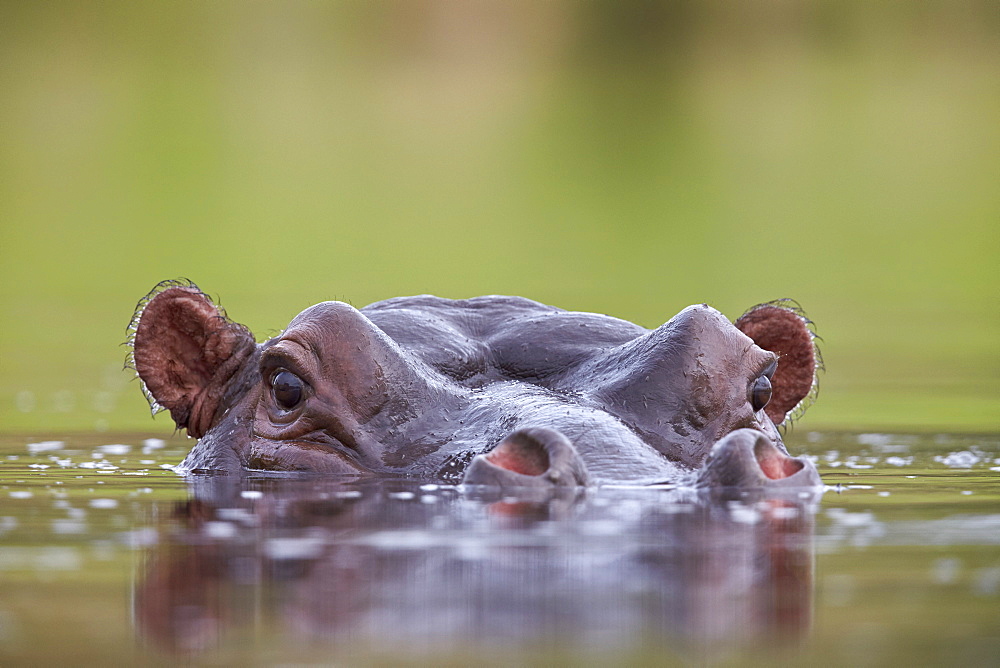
column 534, row 457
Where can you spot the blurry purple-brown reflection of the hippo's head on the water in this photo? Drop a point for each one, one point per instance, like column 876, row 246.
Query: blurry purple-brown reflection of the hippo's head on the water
column 388, row 571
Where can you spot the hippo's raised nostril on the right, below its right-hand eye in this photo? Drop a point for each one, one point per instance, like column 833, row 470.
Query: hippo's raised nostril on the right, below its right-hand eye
column 747, row 458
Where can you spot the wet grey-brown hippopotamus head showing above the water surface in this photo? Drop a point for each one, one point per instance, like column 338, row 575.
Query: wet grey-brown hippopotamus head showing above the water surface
column 493, row 390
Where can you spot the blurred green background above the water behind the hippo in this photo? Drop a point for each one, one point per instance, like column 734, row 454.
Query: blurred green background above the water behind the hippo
column 626, row 158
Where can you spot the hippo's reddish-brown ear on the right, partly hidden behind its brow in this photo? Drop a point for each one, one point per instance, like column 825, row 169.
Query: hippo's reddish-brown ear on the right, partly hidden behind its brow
column 781, row 327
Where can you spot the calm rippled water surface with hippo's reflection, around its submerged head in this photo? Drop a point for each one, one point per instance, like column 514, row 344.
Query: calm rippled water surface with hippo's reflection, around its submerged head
column 106, row 556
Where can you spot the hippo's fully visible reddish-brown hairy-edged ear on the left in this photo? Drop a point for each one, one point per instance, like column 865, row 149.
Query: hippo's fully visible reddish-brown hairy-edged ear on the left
column 186, row 350
